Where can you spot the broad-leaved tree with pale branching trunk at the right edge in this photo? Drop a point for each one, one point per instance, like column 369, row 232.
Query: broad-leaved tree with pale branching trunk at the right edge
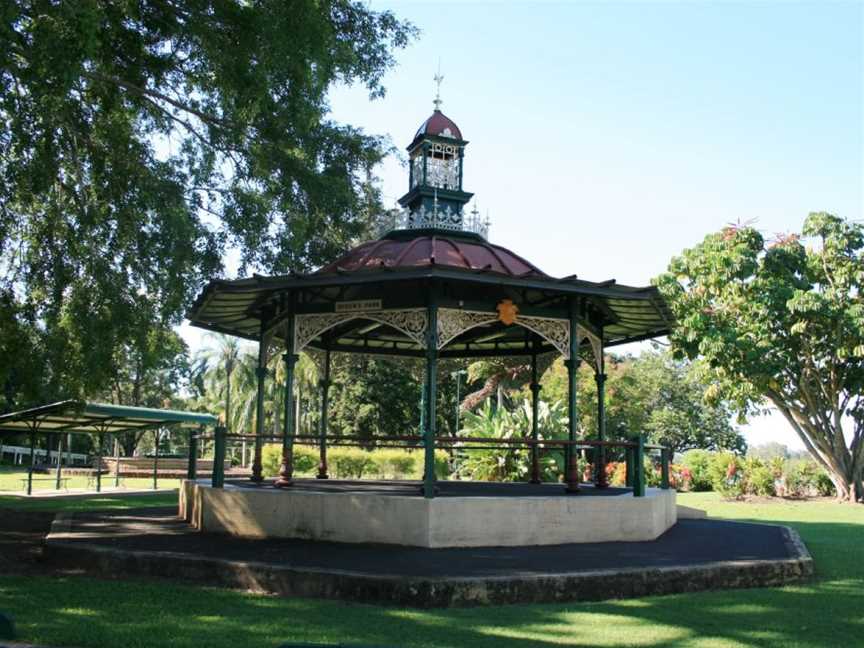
column 783, row 323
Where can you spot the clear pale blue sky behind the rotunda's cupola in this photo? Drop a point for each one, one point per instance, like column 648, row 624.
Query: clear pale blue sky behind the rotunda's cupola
column 605, row 138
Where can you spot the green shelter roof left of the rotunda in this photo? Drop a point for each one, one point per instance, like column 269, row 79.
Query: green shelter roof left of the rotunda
column 85, row 417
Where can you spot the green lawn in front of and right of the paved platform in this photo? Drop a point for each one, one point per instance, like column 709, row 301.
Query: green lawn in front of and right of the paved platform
column 828, row 611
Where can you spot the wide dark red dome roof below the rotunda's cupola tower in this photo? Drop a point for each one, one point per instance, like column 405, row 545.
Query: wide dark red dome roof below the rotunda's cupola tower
column 408, row 249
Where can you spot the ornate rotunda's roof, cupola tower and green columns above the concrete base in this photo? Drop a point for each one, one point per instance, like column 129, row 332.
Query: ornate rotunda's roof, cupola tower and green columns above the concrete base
column 431, row 286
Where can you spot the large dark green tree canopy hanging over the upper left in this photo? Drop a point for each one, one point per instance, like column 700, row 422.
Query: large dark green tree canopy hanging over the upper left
column 139, row 138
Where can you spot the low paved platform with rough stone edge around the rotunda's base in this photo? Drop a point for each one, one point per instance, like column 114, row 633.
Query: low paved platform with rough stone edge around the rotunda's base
column 694, row 555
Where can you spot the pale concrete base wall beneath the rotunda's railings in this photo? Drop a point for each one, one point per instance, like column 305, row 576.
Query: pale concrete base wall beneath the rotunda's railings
column 367, row 517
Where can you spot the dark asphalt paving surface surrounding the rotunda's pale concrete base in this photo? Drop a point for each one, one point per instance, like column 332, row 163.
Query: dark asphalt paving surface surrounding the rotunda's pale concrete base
column 690, row 542
